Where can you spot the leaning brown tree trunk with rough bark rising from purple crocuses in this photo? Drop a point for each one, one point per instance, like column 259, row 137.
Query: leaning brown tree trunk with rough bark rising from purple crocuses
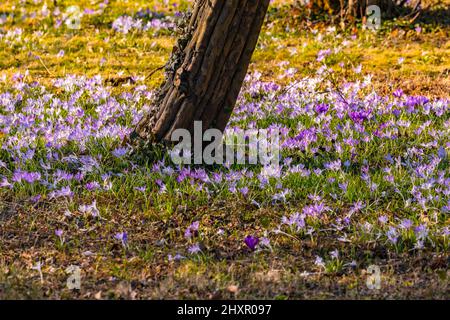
column 207, row 68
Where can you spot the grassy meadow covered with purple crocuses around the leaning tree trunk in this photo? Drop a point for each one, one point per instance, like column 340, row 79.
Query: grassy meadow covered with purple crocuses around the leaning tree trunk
column 364, row 181
